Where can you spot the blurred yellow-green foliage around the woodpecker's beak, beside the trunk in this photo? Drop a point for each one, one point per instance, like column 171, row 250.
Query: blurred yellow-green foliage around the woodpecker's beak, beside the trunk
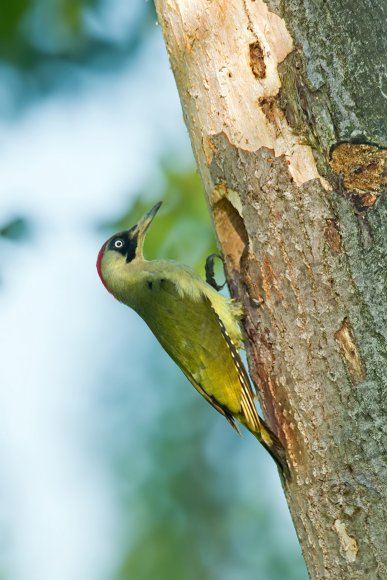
column 182, row 229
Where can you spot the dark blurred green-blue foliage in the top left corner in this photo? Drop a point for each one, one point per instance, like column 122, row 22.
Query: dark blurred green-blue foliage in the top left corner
column 43, row 37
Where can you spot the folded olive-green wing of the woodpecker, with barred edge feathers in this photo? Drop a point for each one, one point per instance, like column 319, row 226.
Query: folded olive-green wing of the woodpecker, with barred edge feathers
column 194, row 336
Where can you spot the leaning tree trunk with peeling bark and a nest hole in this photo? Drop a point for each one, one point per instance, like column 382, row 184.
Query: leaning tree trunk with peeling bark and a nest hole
column 284, row 104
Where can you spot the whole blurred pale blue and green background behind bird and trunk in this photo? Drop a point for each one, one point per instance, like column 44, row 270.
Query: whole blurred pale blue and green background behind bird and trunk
column 111, row 466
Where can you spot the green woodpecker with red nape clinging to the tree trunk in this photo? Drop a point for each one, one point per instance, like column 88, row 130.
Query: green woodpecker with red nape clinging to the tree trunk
column 197, row 326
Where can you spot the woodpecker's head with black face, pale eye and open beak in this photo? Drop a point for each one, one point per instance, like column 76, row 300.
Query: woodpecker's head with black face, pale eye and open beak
column 124, row 248
